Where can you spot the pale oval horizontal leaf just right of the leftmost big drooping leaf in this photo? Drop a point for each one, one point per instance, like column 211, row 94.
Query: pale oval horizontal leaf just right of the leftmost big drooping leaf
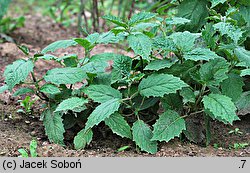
column 65, row 75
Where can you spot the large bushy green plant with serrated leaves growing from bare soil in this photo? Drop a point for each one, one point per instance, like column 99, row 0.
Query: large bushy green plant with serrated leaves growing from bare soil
column 186, row 68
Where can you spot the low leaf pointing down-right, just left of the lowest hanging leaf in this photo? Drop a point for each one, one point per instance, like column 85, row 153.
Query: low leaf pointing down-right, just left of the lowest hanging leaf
column 119, row 125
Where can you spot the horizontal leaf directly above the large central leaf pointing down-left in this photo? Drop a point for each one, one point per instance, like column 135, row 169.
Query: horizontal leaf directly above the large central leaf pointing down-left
column 102, row 93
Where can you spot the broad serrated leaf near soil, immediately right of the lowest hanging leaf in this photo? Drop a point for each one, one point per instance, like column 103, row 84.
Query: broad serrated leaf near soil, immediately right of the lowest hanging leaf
column 168, row 126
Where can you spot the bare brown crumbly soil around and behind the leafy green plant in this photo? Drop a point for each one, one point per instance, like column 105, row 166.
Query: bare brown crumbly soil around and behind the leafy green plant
column 16, row 130
